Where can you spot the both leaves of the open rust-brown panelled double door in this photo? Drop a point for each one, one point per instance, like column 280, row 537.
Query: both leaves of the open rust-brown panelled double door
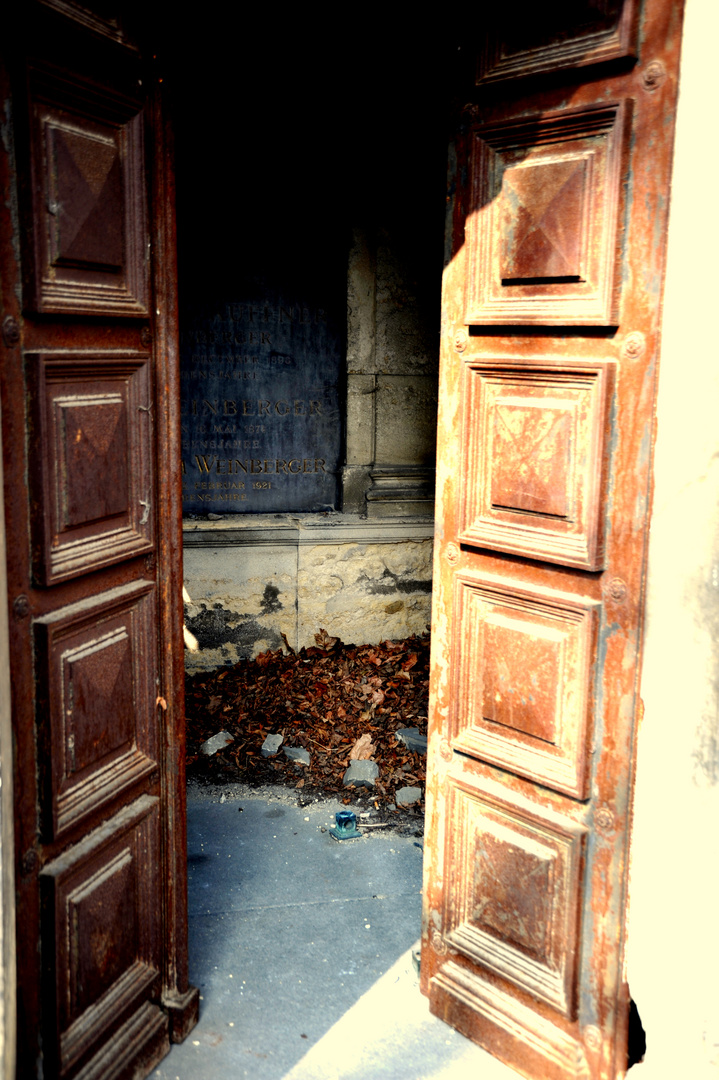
column 558, row 210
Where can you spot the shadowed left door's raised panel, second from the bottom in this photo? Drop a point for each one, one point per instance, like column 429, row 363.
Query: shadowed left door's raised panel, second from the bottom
column 97, row 667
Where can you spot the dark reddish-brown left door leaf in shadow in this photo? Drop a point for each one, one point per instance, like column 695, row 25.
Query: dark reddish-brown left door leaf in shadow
column 90, row 398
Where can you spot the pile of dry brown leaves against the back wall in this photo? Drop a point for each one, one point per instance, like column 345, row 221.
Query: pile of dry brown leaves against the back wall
column 334, row 700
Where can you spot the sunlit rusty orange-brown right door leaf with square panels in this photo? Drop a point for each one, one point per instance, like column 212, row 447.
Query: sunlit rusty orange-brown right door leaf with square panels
column 551, row 320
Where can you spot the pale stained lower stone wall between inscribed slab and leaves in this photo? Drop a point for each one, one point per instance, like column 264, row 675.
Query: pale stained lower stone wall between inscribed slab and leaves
column 253, row 579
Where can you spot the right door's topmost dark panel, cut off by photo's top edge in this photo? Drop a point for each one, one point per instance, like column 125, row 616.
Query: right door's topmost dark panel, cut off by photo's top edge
column 555, row 37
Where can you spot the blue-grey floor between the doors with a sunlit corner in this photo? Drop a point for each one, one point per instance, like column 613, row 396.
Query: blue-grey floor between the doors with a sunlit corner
column 302, row 949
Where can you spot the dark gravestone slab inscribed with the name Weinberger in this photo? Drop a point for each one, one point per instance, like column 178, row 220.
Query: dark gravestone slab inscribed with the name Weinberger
column 262, row 425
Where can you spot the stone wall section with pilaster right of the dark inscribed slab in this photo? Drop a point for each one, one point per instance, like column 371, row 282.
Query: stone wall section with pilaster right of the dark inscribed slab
column 394, row 321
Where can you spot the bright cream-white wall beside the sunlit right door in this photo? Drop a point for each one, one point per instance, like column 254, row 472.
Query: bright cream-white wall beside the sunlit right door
column 673, row 950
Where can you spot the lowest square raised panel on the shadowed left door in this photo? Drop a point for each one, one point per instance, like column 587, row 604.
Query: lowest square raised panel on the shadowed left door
column 106, row 927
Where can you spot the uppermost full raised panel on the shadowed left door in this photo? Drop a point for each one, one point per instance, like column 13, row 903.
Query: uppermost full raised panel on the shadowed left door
column 89, row 214
